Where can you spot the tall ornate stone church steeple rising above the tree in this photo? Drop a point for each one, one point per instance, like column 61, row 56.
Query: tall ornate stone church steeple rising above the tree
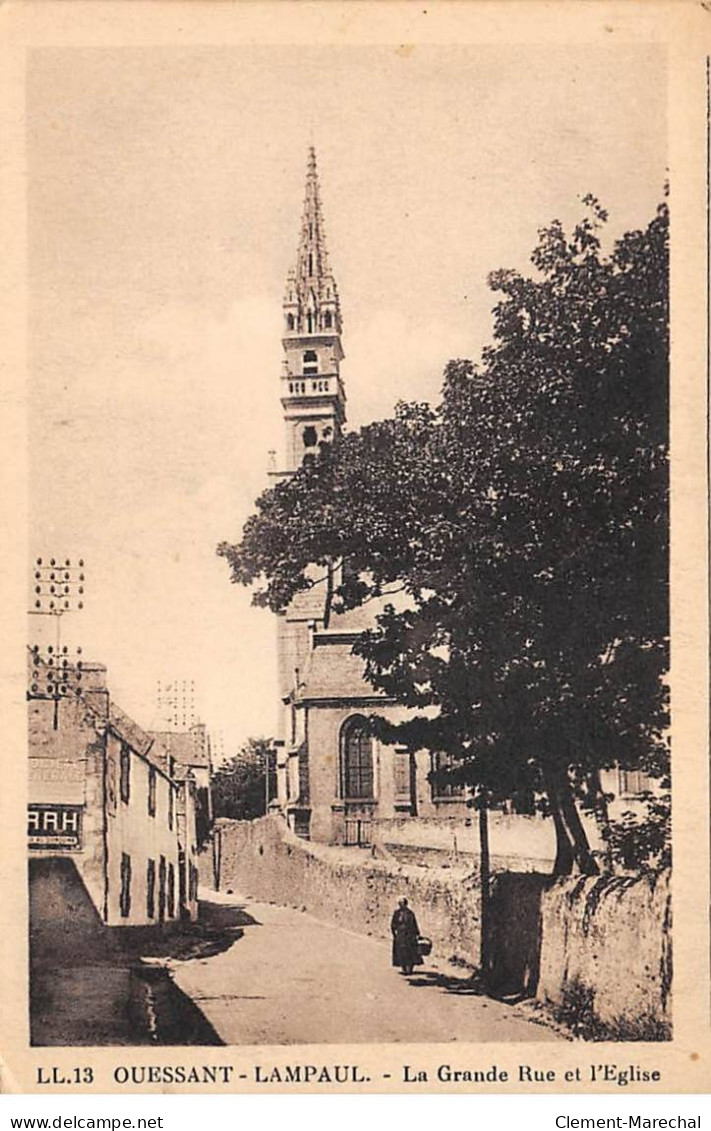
column 313, row 393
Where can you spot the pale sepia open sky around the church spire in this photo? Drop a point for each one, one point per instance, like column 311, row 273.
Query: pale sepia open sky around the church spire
column 164, row 193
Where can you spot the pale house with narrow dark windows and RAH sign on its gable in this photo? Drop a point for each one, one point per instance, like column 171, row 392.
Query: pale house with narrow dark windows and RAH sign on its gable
column 100, row 798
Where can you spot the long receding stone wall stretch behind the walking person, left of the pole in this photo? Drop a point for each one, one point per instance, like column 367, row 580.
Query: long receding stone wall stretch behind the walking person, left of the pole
column 349, row 886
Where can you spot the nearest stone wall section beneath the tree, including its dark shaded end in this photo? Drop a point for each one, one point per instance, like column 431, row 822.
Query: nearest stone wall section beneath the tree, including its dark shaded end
column 596, row 949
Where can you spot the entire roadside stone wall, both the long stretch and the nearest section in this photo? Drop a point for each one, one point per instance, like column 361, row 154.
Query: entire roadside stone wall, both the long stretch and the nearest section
column 597, row 951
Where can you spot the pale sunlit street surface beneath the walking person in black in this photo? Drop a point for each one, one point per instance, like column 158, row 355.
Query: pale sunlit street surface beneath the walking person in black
column 283, row 978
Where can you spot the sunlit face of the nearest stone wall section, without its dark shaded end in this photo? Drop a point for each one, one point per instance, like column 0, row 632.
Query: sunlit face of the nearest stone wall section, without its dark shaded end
column 606, row 955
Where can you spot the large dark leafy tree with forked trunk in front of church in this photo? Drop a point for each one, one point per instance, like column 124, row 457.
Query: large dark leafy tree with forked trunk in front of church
column 525, row 520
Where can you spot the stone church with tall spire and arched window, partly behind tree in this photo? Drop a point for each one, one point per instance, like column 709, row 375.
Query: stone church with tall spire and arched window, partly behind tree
column 334, row 780
